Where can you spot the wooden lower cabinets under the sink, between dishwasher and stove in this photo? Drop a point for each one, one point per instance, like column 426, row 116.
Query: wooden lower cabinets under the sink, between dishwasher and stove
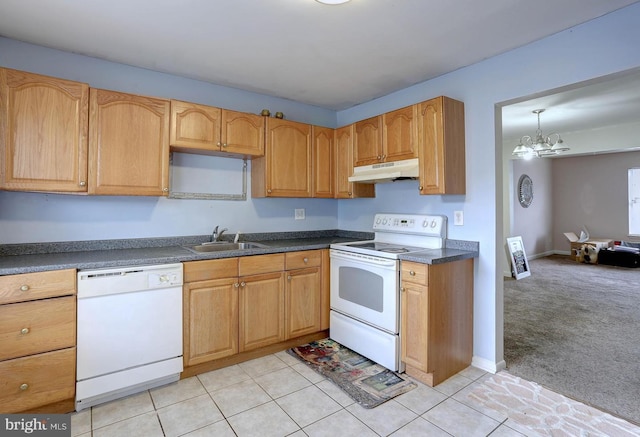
column 237, row 308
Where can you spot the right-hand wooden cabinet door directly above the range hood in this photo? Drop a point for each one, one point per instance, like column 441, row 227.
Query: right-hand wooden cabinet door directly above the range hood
column 400, row 134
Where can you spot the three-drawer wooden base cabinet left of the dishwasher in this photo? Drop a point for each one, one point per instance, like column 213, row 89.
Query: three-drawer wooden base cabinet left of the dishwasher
column 37, row 342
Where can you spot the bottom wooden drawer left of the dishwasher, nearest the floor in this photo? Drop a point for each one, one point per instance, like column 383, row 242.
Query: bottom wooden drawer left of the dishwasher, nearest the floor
column 37, row 380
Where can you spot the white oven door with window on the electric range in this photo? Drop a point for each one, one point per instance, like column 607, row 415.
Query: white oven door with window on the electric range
column 366, row 288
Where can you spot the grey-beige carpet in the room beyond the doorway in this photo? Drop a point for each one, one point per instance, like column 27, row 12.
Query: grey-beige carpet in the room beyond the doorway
column 575, row 329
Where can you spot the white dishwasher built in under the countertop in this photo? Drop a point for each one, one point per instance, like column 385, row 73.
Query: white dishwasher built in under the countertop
column 129, row 331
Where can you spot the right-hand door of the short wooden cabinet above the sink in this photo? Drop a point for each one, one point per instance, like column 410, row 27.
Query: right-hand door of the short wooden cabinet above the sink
column 242, row 133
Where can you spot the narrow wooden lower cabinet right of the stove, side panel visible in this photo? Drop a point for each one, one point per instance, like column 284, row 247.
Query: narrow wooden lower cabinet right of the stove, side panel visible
column 436, row 329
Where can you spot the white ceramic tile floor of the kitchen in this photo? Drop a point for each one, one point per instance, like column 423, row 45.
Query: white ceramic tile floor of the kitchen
column 278, row 396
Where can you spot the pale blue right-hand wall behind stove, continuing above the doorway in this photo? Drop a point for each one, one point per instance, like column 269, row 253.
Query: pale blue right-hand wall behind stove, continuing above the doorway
column 595, row 49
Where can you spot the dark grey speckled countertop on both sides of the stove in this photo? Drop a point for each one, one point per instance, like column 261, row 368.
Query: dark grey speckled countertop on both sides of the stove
column 36, row 257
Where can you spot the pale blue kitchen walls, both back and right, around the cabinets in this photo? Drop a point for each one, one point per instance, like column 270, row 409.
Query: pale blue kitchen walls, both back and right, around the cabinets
column 598, row 48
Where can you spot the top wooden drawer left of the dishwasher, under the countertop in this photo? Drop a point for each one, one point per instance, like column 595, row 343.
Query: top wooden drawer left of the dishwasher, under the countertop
column 32, row 286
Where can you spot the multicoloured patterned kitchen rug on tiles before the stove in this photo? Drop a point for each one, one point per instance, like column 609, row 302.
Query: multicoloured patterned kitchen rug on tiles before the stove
column 367, row 383
